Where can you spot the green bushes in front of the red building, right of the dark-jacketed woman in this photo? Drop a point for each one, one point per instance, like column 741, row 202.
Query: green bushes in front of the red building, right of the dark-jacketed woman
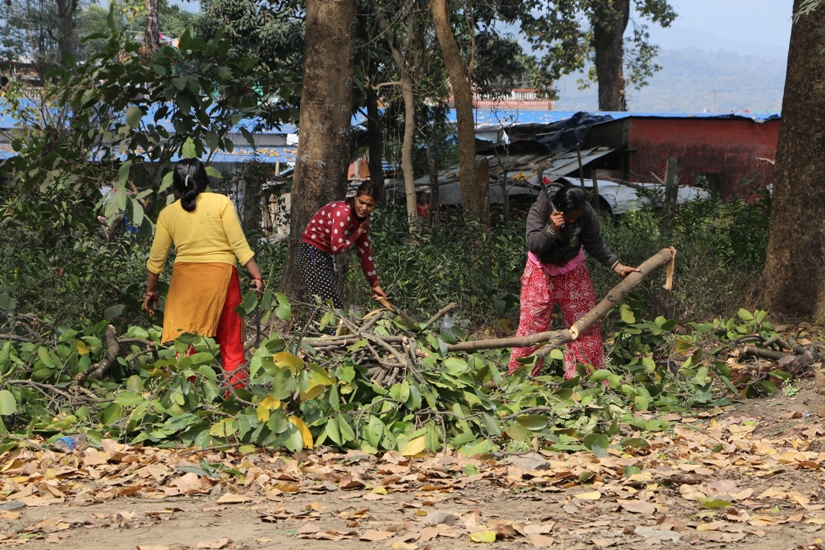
column 722, row 248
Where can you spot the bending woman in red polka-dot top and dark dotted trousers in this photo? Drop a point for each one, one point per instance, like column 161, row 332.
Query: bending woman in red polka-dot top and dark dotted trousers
column 335, row 228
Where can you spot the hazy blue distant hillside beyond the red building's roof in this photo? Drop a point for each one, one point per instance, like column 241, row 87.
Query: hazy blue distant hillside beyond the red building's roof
column 693, row 80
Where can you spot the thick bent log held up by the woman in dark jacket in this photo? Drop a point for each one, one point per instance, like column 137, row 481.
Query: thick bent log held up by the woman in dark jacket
column 560, row 337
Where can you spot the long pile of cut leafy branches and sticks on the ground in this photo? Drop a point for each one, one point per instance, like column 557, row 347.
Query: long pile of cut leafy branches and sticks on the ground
column 382, row 384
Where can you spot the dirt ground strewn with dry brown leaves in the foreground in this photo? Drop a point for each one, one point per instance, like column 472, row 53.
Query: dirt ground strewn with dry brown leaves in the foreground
column 746, row 477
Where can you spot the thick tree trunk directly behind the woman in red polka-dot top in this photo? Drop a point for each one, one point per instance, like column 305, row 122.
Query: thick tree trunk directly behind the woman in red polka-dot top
column 326, row 109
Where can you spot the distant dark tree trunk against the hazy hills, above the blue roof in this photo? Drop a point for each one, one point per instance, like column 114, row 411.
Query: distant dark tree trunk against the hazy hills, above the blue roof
column 608, row 39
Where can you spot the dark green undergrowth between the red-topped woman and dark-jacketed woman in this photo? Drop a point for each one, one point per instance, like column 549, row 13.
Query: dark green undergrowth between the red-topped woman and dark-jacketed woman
column 454, row 261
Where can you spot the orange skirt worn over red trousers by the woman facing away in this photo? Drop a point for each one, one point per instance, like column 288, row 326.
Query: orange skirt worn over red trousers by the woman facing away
column 196, row 298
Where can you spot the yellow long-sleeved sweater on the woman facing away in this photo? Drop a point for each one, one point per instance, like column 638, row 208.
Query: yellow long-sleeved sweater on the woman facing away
column 211, row 233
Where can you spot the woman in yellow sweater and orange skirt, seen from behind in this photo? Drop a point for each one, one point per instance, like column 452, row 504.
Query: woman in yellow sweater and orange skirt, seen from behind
column 205, row 289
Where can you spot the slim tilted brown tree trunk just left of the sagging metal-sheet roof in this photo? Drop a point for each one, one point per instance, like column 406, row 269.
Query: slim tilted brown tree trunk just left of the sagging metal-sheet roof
column 474, row 197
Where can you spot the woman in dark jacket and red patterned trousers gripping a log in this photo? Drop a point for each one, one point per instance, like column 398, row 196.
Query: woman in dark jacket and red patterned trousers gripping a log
column 561, row 226
